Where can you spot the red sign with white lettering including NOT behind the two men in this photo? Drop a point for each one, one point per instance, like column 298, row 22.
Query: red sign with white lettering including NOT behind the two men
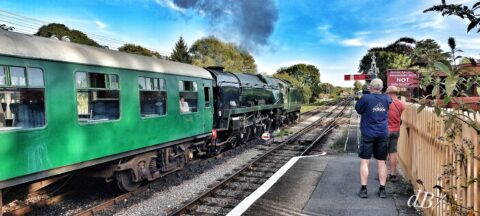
column 402, row 79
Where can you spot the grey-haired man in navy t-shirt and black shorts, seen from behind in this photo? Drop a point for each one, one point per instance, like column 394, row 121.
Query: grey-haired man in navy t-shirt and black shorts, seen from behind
column 374, row 127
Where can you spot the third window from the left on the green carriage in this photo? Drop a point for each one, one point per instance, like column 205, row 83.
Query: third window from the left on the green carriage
column 153, row 96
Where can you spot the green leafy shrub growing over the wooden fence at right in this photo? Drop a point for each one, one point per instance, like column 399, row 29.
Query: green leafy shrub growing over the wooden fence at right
column 455, row 81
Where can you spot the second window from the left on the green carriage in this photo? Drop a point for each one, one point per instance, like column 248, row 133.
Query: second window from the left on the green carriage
column 98, row 97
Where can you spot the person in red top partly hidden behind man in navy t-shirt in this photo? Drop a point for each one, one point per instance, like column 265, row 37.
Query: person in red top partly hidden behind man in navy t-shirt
column 394, row 121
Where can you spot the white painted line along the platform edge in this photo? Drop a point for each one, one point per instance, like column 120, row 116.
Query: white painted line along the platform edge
column 247, row 202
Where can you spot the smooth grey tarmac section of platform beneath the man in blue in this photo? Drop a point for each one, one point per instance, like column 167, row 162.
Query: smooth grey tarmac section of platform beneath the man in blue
column 336, row 192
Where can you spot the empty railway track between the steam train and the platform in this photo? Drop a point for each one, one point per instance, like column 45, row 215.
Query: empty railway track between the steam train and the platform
column 224, row 196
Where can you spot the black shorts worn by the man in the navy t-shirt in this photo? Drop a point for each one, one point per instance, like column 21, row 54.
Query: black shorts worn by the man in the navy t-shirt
column 376, row 146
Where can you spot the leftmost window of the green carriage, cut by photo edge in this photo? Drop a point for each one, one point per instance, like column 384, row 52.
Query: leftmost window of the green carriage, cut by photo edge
column 22, row 104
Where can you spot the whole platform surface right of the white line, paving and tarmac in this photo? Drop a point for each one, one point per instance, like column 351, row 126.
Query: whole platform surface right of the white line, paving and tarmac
column 325, row 185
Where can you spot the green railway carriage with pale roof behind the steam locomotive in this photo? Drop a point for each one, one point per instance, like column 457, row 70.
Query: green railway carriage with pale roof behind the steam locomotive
column 66, row 106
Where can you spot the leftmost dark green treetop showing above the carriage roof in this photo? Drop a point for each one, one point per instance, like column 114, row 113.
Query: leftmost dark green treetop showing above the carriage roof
column 60, row 30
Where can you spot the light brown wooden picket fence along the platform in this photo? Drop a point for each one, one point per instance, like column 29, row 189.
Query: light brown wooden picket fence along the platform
column 423, row 156
